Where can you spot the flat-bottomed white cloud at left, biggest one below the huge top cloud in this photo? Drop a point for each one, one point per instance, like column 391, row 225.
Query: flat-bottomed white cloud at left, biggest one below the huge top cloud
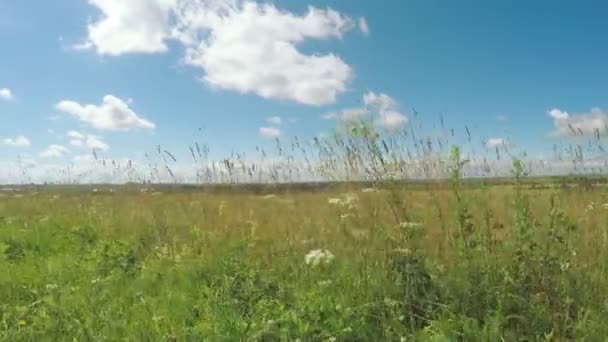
column 112, row 115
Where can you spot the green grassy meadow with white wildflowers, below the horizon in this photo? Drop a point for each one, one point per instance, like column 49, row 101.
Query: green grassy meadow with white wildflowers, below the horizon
column 344, row 263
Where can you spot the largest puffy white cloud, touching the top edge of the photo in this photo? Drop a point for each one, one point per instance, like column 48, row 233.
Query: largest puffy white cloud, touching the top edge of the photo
column 242, row 46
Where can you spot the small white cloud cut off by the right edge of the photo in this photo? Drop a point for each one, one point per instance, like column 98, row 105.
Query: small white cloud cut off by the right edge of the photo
column 594, row 123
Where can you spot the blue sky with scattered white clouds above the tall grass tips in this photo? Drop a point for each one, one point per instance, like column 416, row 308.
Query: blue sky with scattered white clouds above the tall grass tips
column 498, row 67
